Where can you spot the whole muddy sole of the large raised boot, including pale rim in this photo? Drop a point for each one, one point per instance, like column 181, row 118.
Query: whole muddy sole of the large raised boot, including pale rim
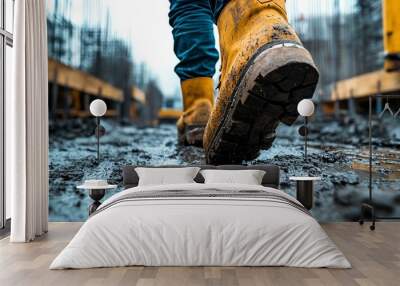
column 274, row 81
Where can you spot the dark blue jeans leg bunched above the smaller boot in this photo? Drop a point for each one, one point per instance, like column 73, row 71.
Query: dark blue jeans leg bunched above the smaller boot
column 194, row 42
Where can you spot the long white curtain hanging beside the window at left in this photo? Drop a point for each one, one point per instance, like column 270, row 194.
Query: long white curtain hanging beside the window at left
column 27, row 124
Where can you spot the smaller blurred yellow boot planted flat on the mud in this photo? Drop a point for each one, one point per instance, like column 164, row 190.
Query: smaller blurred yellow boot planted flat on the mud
column 198, row 98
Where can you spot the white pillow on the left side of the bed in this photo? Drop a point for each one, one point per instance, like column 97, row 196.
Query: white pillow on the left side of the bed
column 166, row 176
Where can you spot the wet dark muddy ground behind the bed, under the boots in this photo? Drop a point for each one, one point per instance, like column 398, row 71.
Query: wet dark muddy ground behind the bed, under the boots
column 338, row 154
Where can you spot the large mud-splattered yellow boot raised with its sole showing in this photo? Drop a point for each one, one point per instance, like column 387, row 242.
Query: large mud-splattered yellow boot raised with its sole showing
column 265, row 73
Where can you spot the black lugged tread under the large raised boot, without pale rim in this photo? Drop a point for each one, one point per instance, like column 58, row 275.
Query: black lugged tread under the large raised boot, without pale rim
column 261, row 110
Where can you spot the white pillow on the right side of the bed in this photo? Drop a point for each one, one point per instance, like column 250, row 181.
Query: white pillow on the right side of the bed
column 248, row 177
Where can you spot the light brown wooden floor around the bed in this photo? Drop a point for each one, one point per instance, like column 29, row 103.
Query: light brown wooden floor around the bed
column 375, row 257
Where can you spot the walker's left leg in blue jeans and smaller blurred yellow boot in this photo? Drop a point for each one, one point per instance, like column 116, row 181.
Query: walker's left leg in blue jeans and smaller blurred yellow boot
column 194, row 45
